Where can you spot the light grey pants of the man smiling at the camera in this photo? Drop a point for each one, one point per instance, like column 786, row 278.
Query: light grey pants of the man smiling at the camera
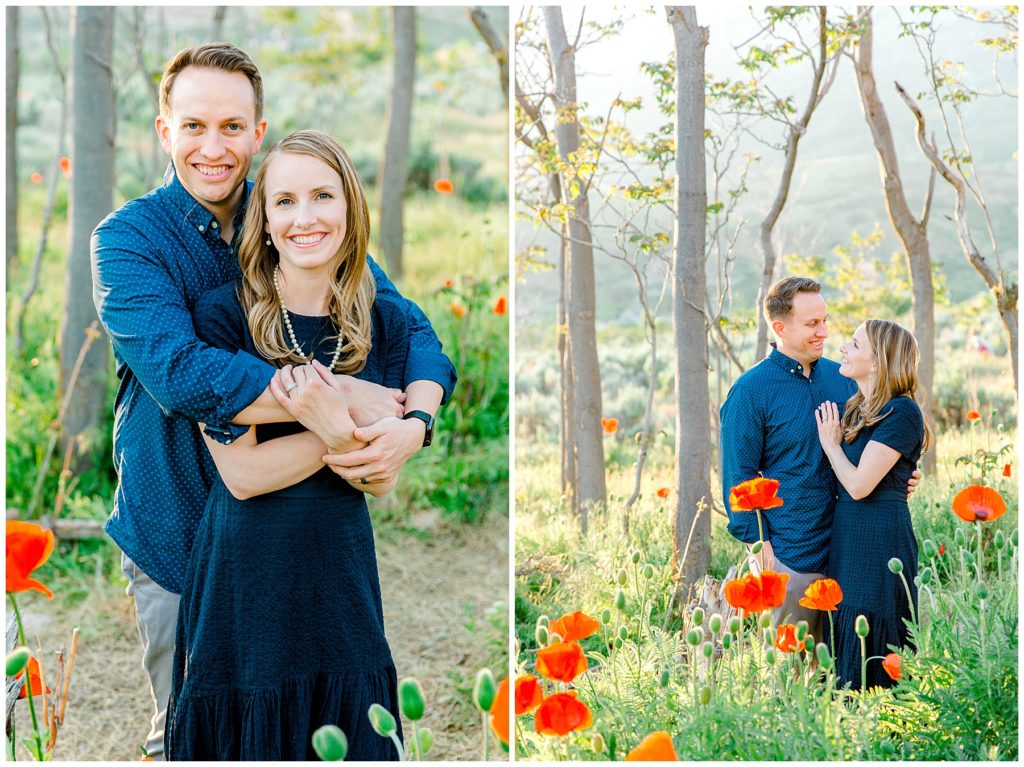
column 157, row 616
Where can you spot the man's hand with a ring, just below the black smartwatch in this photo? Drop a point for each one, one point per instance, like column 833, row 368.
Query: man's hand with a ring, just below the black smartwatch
column 392, row 443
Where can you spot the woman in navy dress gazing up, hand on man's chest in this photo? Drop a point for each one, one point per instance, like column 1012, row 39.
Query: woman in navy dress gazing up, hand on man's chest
column 874, row 449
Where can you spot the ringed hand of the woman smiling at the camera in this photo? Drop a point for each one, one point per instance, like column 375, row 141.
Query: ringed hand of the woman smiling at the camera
column 317, row 401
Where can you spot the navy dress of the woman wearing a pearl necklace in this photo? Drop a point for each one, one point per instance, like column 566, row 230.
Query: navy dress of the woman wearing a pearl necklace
column 281, row 628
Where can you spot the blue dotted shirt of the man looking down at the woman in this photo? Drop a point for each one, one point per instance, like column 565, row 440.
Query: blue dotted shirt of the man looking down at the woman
column 769, row 429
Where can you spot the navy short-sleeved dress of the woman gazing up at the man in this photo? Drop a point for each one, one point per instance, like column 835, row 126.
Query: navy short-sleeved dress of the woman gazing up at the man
column 867, row 535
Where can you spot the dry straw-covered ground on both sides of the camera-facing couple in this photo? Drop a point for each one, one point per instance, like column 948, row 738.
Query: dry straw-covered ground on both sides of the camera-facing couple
column 437, row 593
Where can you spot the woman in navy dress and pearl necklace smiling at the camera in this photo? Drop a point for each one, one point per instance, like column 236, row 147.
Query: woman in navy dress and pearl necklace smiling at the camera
column 281, row 628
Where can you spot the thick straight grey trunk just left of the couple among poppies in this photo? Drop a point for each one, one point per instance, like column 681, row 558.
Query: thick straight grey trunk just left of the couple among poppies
column 690, row 297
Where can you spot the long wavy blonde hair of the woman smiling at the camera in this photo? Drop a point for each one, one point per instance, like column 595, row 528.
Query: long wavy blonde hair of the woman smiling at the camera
column 353, row 289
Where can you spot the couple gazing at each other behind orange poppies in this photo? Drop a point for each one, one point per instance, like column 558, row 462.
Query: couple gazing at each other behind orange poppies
column 843, row 441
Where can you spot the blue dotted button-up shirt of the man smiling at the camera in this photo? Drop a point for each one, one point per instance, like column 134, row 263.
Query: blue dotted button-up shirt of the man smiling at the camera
column 152, row 260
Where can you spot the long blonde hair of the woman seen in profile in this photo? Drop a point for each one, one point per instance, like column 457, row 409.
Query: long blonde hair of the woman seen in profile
column 897, row 359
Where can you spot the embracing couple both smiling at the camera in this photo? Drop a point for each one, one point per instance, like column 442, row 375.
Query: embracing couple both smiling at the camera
column 271, row 375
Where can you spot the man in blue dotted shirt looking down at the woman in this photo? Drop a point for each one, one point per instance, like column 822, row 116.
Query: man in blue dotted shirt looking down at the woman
column 769, row 430
